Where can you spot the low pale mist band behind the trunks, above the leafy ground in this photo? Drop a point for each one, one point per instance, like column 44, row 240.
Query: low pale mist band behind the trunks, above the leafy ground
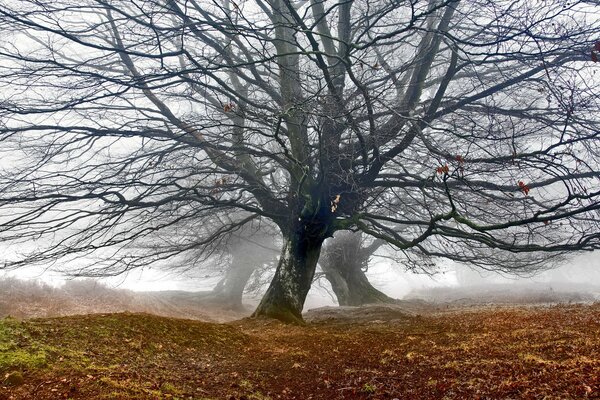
column 182, row 293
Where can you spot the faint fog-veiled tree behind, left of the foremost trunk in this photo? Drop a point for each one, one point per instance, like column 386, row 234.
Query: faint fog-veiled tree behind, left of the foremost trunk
column 229, row 246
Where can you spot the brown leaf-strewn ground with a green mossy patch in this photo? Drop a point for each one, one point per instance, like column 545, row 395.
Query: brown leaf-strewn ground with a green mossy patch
column 483, row 352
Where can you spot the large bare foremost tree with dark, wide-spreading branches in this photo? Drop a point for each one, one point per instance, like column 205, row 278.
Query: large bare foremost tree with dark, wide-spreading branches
column 461, row 129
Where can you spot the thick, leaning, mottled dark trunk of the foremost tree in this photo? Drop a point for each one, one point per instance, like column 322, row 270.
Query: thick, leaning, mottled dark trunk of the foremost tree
column 285, row 297
